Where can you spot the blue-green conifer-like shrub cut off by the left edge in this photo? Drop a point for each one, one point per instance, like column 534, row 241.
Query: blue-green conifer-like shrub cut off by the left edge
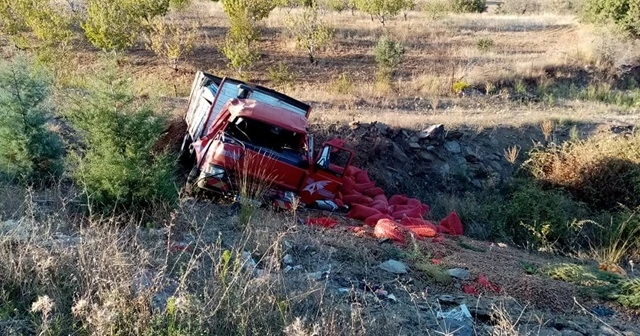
column 29, row 149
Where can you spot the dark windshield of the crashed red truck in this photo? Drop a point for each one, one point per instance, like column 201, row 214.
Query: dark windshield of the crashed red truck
column 264, row 135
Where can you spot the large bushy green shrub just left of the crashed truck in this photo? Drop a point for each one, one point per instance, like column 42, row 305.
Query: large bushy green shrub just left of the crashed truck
column 119, row 166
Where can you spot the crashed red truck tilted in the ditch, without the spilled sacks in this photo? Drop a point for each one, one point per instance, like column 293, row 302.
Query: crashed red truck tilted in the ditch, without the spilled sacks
column 238, row 131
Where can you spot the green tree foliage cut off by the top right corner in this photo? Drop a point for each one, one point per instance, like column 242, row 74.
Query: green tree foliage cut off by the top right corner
column 623, row 13
